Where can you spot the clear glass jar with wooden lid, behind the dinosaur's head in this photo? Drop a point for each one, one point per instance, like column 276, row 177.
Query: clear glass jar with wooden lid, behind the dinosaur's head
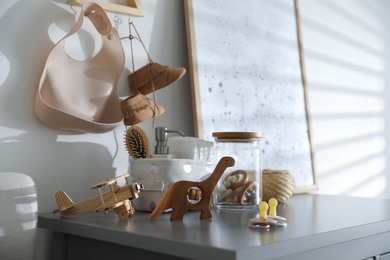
column 240, row 186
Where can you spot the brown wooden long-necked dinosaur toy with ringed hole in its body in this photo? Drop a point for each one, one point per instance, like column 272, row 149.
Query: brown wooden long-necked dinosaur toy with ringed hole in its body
column 178, row 194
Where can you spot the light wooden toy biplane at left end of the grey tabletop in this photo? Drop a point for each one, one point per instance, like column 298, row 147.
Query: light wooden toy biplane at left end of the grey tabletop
column 117, row 199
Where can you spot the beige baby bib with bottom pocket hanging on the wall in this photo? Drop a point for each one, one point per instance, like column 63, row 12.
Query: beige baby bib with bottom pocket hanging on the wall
column 82, row 96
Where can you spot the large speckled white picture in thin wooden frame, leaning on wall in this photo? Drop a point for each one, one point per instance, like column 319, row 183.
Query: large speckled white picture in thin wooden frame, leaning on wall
column 223, row 81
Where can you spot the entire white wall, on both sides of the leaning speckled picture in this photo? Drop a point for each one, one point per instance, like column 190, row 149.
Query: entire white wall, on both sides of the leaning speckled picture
column 347, row 70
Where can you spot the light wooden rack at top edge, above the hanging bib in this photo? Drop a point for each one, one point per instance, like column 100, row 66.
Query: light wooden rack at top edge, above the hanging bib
column 132, row 7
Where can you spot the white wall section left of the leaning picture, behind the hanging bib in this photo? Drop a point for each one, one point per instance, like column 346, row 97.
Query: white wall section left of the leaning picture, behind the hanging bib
column 59, row 160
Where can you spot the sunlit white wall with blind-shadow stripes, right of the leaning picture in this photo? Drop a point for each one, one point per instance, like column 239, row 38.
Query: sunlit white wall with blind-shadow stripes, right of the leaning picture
column 346, row 47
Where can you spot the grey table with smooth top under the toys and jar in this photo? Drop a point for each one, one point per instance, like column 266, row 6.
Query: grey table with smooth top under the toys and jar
column 319, row 227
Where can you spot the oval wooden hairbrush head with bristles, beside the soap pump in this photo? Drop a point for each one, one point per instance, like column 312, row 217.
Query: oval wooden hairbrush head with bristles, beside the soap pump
column 137, row 143
